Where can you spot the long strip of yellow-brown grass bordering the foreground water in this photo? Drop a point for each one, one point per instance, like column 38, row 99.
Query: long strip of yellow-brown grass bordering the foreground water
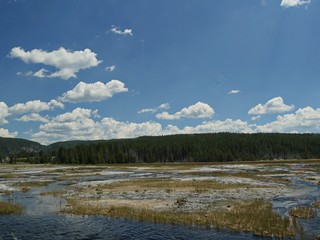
column 256, row 217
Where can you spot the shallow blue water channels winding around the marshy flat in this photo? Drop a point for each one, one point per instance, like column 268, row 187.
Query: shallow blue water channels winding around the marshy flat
column 42, row 220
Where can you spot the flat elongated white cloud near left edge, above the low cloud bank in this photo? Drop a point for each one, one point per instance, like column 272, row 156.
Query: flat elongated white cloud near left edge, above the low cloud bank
column 34, row 107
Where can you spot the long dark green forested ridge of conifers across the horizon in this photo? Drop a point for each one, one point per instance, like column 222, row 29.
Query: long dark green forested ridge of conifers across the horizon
column 213, row 147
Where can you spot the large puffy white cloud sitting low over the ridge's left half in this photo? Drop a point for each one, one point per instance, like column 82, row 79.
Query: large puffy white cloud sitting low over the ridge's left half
column 80, row 125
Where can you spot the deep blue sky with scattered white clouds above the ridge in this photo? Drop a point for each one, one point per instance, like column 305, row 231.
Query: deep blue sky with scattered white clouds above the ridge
column 107, row 69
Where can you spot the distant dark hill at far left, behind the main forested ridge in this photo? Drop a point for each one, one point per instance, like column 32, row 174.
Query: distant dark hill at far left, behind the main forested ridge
column 16, row 145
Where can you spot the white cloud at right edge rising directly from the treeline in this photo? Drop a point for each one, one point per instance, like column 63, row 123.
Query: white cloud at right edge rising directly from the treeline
column 303, row 120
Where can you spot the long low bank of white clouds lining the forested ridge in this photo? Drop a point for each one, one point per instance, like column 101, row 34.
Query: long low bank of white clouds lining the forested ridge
column 80, row 124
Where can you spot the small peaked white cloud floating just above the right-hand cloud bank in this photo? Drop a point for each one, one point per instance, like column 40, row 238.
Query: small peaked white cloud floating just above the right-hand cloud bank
column 274, row 105
